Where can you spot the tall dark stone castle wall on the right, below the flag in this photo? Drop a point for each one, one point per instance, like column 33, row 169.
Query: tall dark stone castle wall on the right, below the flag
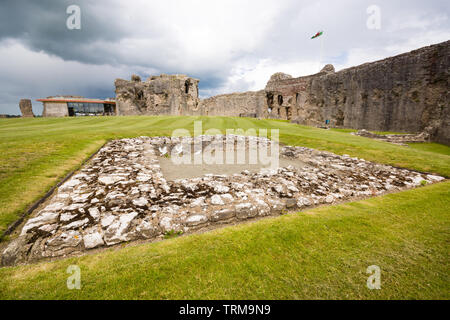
column 406, row 93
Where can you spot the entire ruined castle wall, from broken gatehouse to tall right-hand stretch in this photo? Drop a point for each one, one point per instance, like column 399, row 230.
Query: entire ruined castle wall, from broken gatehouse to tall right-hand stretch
column 406, row 93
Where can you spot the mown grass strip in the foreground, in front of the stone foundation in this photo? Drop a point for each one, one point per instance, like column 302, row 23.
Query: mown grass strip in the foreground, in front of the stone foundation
column 318, row 254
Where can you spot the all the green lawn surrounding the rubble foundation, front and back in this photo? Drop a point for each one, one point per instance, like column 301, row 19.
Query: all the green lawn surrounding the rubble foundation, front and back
column 321, row 253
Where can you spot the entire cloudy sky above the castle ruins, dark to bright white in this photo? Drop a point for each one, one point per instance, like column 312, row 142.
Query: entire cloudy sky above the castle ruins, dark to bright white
column 232, row 45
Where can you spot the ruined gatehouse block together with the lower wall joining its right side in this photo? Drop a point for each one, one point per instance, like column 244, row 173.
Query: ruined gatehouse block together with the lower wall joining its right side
column 178, row 95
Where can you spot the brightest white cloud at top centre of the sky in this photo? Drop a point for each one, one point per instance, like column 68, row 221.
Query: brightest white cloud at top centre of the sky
column 195, row 36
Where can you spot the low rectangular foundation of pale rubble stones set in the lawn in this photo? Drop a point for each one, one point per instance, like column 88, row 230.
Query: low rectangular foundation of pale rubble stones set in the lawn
column 121, row 195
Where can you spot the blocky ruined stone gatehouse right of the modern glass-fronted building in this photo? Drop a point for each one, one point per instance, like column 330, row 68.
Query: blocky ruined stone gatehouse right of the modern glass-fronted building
column 159, row 95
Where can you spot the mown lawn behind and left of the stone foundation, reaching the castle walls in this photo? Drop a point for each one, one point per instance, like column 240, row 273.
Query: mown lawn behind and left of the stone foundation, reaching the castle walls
column 36, row 153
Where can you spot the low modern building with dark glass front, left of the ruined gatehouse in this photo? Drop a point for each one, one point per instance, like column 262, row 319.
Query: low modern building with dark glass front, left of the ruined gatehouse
column 72, row 106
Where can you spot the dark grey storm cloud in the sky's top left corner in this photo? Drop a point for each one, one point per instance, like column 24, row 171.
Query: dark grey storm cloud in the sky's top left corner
column 41, row 25
